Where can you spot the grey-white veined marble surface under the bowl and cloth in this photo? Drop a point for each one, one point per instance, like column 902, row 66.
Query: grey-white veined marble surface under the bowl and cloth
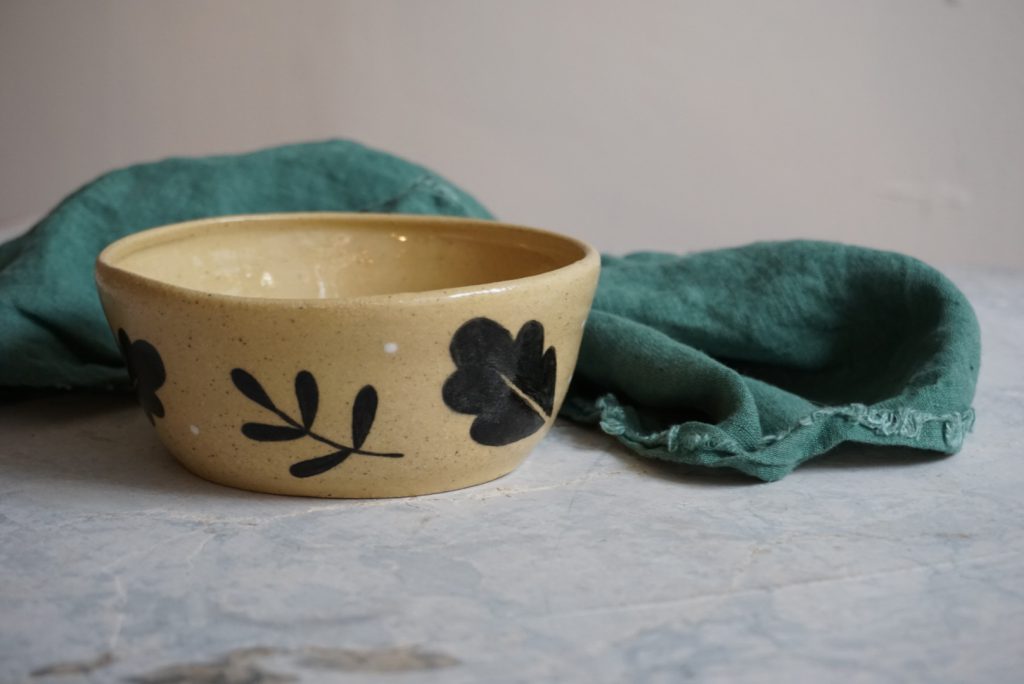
column 588, row 565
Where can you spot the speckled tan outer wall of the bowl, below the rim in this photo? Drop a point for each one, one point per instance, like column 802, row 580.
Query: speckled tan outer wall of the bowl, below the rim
column 195, row 358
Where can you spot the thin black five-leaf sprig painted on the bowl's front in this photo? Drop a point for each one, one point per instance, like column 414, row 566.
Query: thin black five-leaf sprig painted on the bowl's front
column 308, row 398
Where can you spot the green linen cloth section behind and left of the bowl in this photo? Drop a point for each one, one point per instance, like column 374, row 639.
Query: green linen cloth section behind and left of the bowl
column 53, row 331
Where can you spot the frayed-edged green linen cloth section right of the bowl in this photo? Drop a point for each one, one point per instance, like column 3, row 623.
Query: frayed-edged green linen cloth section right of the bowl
column 763, row 357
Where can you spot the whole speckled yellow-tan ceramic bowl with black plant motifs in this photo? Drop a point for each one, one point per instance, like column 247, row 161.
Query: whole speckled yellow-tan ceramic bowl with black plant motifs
column 349, row 355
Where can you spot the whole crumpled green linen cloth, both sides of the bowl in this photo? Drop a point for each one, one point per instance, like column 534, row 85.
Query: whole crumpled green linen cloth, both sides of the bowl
column 756, row 359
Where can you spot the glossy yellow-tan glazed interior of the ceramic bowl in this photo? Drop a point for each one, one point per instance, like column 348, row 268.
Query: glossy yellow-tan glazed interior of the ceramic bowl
column 311, row 256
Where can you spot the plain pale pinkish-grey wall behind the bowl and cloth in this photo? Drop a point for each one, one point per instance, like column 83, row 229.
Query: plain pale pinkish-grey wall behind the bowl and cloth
column 635, row 125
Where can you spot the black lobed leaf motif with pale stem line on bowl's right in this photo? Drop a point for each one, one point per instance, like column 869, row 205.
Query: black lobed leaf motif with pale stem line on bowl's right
column 508, row 384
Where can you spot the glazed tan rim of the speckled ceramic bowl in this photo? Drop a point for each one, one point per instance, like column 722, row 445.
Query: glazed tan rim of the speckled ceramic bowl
column 107, row 272
